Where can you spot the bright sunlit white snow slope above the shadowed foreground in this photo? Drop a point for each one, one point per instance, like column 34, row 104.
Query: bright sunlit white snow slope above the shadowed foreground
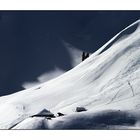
column 107, row 80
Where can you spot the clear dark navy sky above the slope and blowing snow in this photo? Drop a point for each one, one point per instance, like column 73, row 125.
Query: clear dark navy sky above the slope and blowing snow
column 31, row 41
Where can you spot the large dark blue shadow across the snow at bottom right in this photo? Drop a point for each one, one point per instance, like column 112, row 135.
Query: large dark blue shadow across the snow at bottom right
column 101, row 120
